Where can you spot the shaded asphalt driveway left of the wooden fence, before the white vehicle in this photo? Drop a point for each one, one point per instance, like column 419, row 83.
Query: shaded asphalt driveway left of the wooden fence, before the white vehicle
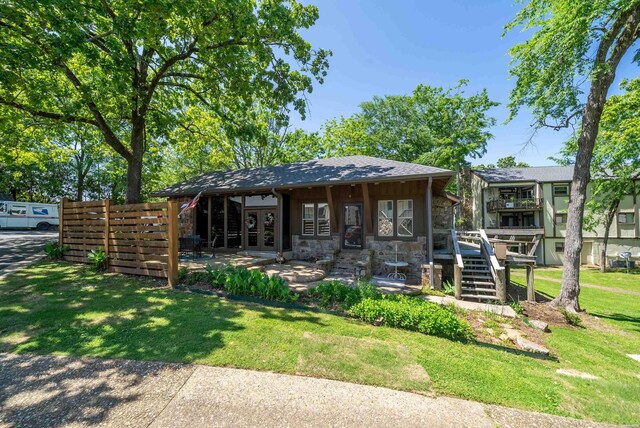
column 21, row 247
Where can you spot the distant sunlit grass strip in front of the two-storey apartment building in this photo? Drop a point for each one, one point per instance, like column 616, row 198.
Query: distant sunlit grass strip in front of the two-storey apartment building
column 618, row 278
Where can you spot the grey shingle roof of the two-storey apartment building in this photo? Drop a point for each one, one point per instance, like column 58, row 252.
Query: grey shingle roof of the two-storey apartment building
column 540, row 174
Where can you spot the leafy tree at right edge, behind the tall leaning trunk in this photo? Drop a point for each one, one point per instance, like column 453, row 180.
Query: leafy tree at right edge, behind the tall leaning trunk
column 615, row 167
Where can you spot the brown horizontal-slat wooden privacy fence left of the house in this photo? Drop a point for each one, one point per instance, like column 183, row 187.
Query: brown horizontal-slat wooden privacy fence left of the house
column 139, row 239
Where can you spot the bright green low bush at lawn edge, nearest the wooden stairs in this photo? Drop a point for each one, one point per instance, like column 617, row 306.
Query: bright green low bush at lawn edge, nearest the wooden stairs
column 415, row 314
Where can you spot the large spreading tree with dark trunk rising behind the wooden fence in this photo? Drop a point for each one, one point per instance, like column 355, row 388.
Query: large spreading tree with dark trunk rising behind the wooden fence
column 130, row 68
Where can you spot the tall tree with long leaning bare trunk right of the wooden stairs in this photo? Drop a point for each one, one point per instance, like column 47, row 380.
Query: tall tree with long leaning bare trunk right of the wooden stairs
column 573, row 41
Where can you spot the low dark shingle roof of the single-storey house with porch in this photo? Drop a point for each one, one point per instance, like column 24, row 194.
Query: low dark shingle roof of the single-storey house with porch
column 316, row 172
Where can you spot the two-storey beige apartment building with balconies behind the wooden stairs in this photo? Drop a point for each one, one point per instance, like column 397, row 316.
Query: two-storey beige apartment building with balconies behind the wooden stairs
column 522, row 203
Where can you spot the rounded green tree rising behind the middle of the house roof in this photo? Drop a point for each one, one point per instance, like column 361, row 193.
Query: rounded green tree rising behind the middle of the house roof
column 434, row 126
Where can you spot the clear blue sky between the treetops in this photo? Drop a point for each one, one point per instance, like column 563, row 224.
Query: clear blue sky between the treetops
column 389, row 47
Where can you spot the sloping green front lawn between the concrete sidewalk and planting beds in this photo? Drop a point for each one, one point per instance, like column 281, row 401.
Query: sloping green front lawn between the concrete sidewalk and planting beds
column 60, row 308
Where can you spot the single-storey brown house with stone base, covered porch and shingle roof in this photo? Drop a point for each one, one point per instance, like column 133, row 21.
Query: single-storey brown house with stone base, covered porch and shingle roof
column 350, row 210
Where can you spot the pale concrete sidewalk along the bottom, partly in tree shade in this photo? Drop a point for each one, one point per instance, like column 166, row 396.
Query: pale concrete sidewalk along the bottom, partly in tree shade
column 64, row 391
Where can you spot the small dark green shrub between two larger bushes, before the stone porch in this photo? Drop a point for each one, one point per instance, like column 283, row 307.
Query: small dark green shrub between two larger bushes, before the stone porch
column 338, row 294
